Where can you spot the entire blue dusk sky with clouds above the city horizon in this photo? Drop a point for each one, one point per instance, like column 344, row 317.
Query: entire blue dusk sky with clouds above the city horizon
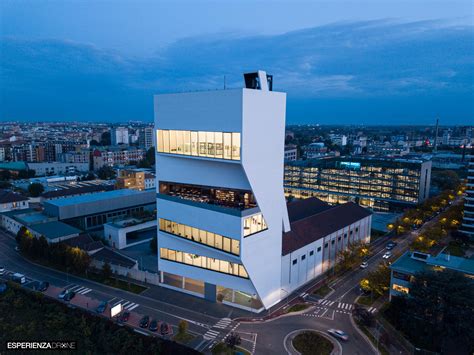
column 358, row 62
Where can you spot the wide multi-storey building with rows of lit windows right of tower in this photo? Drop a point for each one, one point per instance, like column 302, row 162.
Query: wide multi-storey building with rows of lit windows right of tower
column 379, row 183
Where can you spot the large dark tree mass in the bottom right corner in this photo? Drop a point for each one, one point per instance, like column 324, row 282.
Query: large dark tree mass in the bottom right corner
column 438, row 314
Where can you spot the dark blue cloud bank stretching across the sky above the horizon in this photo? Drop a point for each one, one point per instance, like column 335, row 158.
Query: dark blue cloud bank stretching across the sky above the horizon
column 381, row 64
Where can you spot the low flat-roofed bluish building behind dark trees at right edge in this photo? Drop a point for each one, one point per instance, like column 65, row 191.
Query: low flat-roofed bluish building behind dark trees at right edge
column 405, row 268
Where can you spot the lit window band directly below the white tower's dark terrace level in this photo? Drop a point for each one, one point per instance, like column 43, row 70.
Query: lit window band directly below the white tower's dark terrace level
column 200, row 236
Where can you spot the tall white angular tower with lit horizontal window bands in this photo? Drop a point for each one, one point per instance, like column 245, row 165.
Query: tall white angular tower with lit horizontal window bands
column 220, row 200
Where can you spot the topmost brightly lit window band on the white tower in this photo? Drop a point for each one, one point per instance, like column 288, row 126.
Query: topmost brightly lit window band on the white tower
column 217, row 145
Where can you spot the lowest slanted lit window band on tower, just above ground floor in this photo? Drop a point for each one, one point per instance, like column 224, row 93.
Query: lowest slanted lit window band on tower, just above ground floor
column 204, row 262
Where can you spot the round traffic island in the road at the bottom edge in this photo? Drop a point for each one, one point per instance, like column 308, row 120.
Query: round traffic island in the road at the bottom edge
column 311, row 342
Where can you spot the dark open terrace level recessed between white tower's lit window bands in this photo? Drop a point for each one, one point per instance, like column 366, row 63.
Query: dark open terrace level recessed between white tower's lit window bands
column 240, row 199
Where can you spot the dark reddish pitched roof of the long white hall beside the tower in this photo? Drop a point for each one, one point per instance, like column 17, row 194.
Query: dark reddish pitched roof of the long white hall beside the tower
column 316, row 226
